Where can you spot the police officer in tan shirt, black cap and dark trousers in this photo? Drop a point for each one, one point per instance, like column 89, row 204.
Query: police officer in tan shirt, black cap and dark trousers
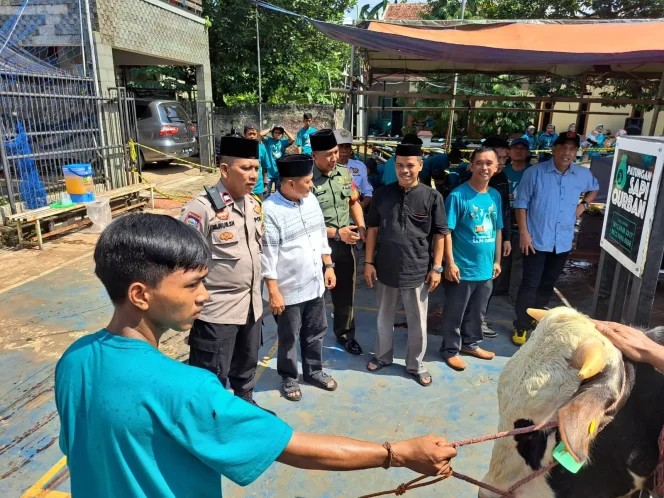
column 226, row 337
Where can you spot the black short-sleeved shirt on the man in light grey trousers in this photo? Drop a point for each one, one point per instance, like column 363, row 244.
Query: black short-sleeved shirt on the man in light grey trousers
column 408, row 220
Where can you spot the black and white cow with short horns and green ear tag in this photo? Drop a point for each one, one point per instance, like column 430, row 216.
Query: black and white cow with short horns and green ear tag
column 607, row 409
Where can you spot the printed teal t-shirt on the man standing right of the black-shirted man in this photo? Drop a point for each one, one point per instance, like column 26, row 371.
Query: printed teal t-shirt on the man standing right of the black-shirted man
column 474, row 219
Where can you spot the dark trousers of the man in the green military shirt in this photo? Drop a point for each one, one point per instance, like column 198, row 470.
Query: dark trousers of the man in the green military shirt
column 343, row 293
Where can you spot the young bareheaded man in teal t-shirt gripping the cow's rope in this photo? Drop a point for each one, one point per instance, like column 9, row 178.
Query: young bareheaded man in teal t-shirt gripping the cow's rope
column 135, row 422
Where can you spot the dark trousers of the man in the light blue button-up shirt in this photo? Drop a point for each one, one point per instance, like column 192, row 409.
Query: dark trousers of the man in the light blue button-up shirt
column 540, row 273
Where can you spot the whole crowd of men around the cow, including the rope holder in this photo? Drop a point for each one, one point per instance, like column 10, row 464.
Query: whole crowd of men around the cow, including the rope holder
column 157, row 427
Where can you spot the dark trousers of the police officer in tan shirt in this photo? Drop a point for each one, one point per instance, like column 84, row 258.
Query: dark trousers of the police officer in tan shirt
column 228, row 351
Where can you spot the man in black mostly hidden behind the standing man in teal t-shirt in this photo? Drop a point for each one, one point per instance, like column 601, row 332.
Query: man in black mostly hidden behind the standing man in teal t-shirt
column 501, row 183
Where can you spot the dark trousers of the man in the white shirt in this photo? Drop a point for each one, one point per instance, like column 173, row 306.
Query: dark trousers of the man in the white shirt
column 307, row 321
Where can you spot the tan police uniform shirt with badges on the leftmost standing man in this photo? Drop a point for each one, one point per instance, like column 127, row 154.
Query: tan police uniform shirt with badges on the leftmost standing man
column 234, row 236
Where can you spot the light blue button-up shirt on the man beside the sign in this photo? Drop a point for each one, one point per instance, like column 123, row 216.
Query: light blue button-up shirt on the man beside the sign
column 551, row 199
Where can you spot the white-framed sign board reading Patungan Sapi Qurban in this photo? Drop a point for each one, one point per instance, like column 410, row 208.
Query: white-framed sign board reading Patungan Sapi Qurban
column 635, row 180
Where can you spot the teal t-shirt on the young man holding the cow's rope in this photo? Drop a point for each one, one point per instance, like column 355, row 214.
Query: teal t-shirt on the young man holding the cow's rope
column 134, row 422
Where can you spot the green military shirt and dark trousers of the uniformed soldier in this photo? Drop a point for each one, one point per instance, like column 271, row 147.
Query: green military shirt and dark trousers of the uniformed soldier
column 336, row 192
